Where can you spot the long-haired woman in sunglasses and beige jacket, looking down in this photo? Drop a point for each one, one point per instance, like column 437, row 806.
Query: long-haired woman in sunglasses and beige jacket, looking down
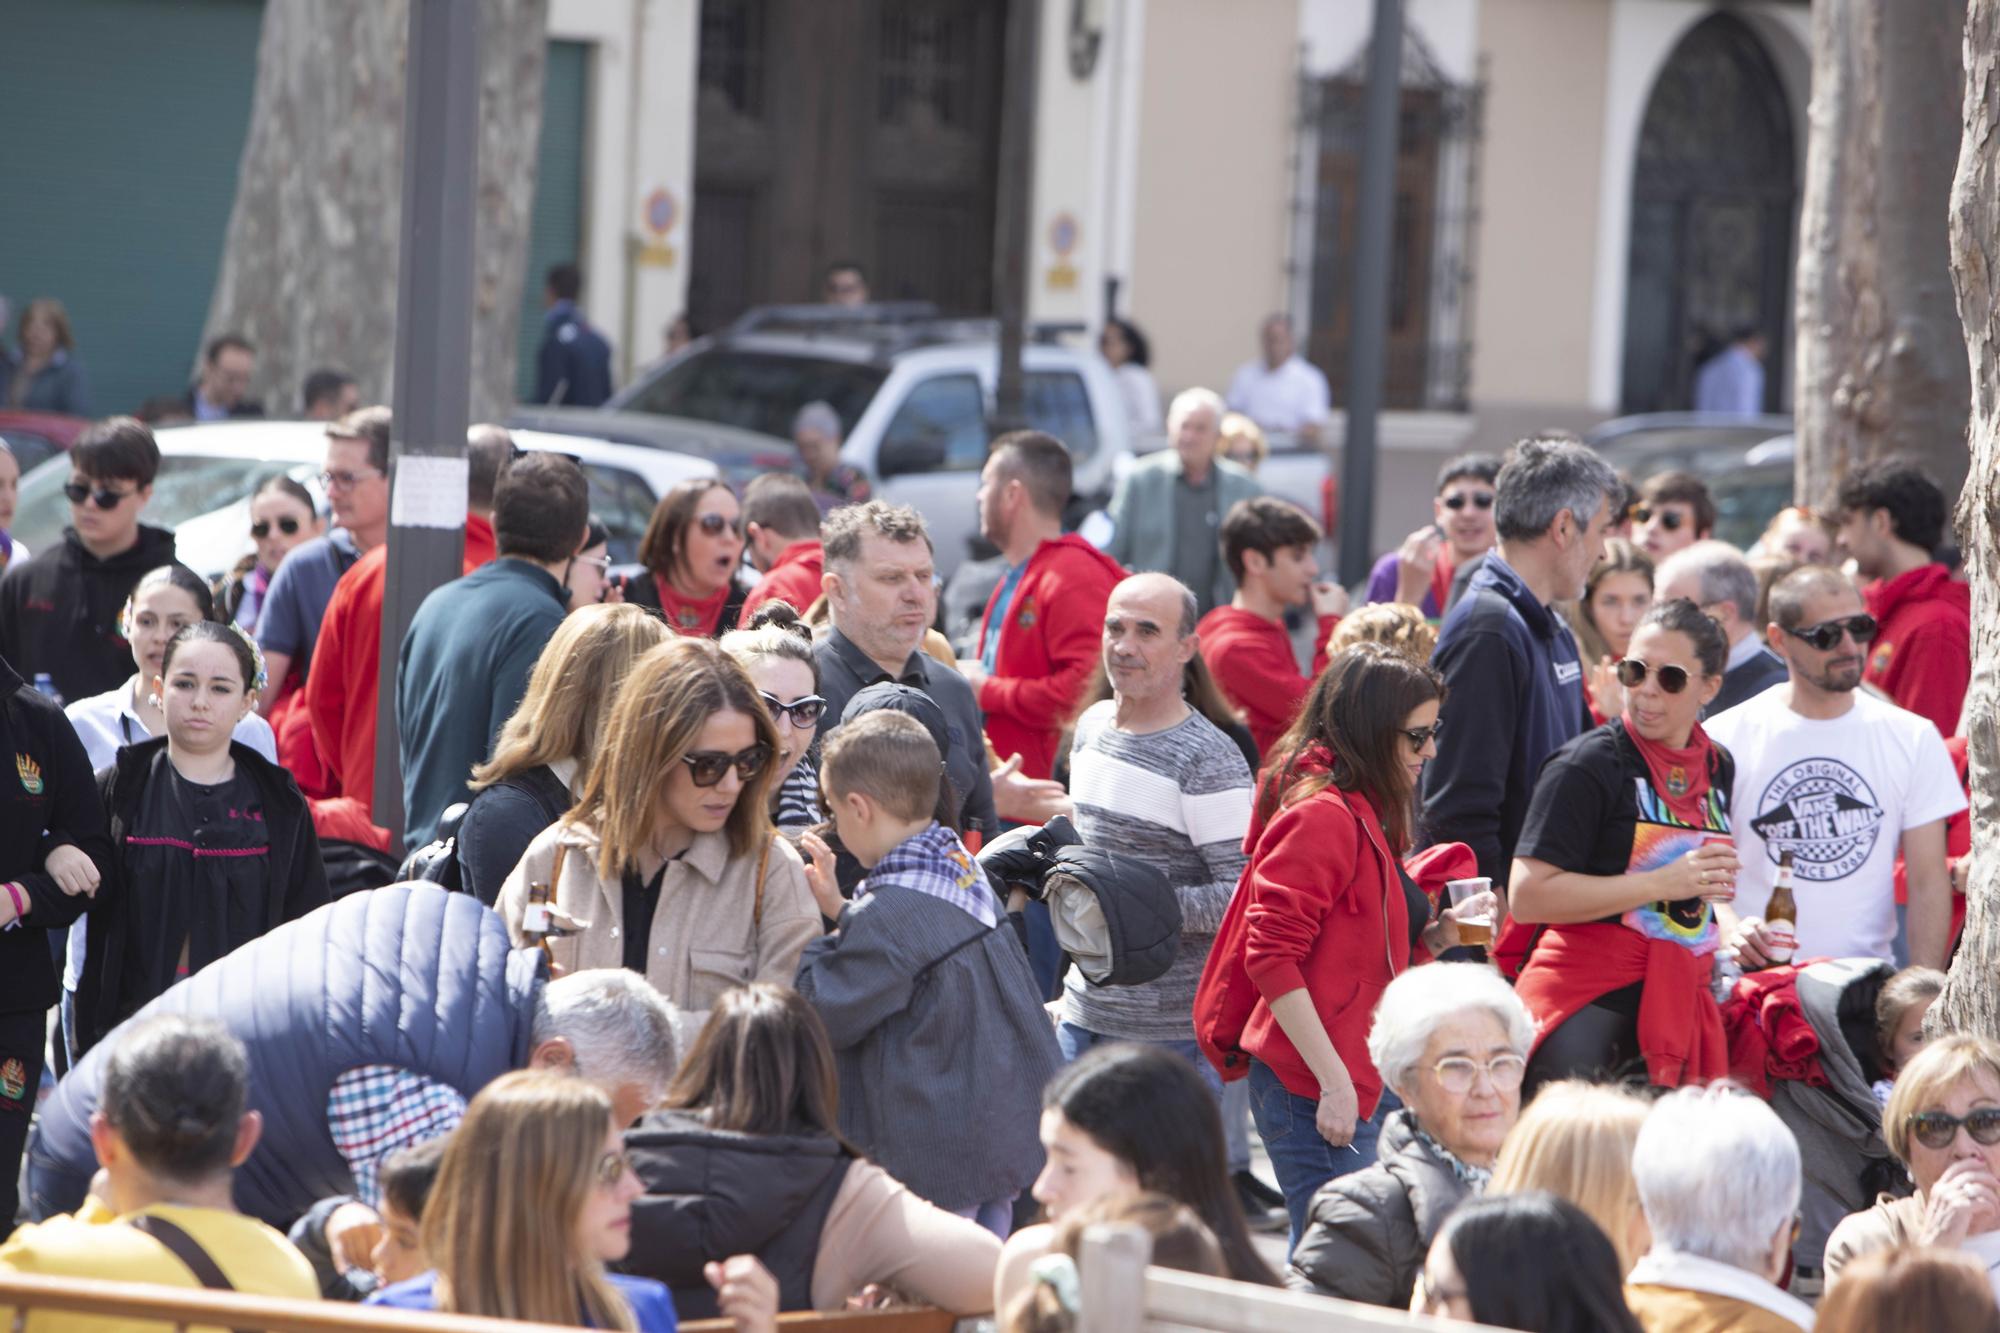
column 667, row 864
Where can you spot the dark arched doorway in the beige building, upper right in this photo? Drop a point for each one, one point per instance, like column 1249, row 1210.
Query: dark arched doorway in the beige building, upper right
column 1715, row 195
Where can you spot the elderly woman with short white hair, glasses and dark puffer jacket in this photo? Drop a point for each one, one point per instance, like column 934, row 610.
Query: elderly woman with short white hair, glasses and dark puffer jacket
column 1453, row 1042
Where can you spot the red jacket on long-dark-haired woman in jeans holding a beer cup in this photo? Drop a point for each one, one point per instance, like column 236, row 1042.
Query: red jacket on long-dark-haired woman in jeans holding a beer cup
column 1319, row 908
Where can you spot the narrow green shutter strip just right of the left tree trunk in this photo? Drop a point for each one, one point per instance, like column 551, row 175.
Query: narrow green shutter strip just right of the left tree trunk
column 557, row 231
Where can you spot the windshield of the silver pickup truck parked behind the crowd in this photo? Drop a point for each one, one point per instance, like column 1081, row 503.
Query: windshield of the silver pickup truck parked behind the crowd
column 755, row 391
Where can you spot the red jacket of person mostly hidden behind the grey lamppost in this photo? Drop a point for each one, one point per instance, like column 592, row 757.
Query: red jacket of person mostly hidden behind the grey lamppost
column 347, row 661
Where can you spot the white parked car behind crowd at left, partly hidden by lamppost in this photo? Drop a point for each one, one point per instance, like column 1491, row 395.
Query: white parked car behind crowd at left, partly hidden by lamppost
column 211, row 471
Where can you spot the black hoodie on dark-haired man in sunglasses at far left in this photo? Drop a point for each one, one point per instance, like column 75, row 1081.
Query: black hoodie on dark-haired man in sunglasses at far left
column 59, row 611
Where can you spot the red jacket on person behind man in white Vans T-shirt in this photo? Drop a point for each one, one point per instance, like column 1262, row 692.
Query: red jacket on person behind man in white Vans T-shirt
column 1923, row 653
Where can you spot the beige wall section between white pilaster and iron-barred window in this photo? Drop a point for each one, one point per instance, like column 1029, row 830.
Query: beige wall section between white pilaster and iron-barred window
column 1213, row 183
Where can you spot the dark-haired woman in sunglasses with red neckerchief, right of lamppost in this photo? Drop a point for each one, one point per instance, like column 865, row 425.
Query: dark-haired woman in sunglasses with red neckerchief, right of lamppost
column 693, row 551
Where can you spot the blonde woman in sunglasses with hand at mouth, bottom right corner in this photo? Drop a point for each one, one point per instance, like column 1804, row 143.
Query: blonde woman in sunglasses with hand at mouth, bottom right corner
column 1943, row 1122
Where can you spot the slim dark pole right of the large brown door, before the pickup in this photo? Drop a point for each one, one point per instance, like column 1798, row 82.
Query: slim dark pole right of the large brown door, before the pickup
column 1015, row 205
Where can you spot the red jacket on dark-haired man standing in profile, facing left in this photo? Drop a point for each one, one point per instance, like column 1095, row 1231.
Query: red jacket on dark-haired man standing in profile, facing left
column 1049, row 647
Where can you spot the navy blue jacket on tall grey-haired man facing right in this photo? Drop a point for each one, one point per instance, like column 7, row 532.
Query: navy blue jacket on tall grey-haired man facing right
column 1515, row 696
